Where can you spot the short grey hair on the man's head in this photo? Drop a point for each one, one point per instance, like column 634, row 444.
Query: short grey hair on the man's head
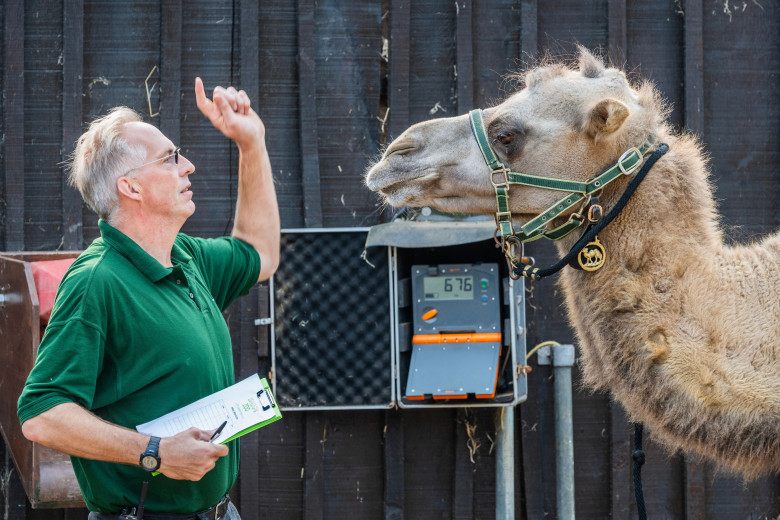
column 101, row 157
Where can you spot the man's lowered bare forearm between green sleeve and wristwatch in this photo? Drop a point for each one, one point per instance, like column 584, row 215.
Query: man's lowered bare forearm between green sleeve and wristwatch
column 71, row 429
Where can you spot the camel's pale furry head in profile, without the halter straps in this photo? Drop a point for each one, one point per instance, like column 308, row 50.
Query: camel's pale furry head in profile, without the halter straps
column 567, row 122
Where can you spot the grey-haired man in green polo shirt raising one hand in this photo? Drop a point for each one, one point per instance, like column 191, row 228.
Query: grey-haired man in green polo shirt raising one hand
column 137, row 329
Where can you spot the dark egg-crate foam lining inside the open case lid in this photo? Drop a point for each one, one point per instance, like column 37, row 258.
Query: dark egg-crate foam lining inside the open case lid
column 332, row 326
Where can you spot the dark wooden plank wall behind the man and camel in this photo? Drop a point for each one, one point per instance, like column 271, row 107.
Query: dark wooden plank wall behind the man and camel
column 334, row 80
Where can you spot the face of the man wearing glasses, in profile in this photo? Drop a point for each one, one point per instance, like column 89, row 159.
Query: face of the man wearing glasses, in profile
column 163, row 185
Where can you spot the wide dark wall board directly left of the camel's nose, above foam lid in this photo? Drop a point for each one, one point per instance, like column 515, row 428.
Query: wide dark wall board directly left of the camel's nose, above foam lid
column 348, row 49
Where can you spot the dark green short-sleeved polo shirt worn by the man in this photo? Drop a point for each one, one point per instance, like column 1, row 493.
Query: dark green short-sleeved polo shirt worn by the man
column 131, row 340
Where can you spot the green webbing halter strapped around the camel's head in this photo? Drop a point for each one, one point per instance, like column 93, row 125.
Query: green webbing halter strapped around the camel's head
column 579, row 192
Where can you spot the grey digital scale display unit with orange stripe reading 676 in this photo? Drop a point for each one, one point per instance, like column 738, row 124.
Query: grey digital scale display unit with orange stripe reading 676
column 456, row 342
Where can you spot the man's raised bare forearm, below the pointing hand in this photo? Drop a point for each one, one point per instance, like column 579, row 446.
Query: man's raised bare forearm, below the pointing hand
column 257, row 211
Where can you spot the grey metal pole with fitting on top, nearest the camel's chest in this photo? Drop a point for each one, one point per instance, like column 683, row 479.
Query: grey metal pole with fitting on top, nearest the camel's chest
column 563, row 360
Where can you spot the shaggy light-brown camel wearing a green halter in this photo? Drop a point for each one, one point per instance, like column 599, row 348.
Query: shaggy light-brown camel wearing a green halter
column 682, row 329
